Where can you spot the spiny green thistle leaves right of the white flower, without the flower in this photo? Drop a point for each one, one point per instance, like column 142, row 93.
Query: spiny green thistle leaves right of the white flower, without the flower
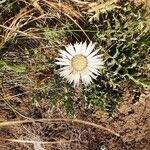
column 124, row 38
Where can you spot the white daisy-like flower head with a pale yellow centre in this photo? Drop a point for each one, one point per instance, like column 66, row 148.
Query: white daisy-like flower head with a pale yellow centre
column 80, row 62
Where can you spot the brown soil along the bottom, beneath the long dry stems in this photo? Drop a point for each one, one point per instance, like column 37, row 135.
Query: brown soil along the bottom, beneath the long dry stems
column 131, row 122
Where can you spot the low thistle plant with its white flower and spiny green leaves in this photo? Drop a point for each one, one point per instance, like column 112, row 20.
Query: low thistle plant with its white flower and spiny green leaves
column 122, row 36
